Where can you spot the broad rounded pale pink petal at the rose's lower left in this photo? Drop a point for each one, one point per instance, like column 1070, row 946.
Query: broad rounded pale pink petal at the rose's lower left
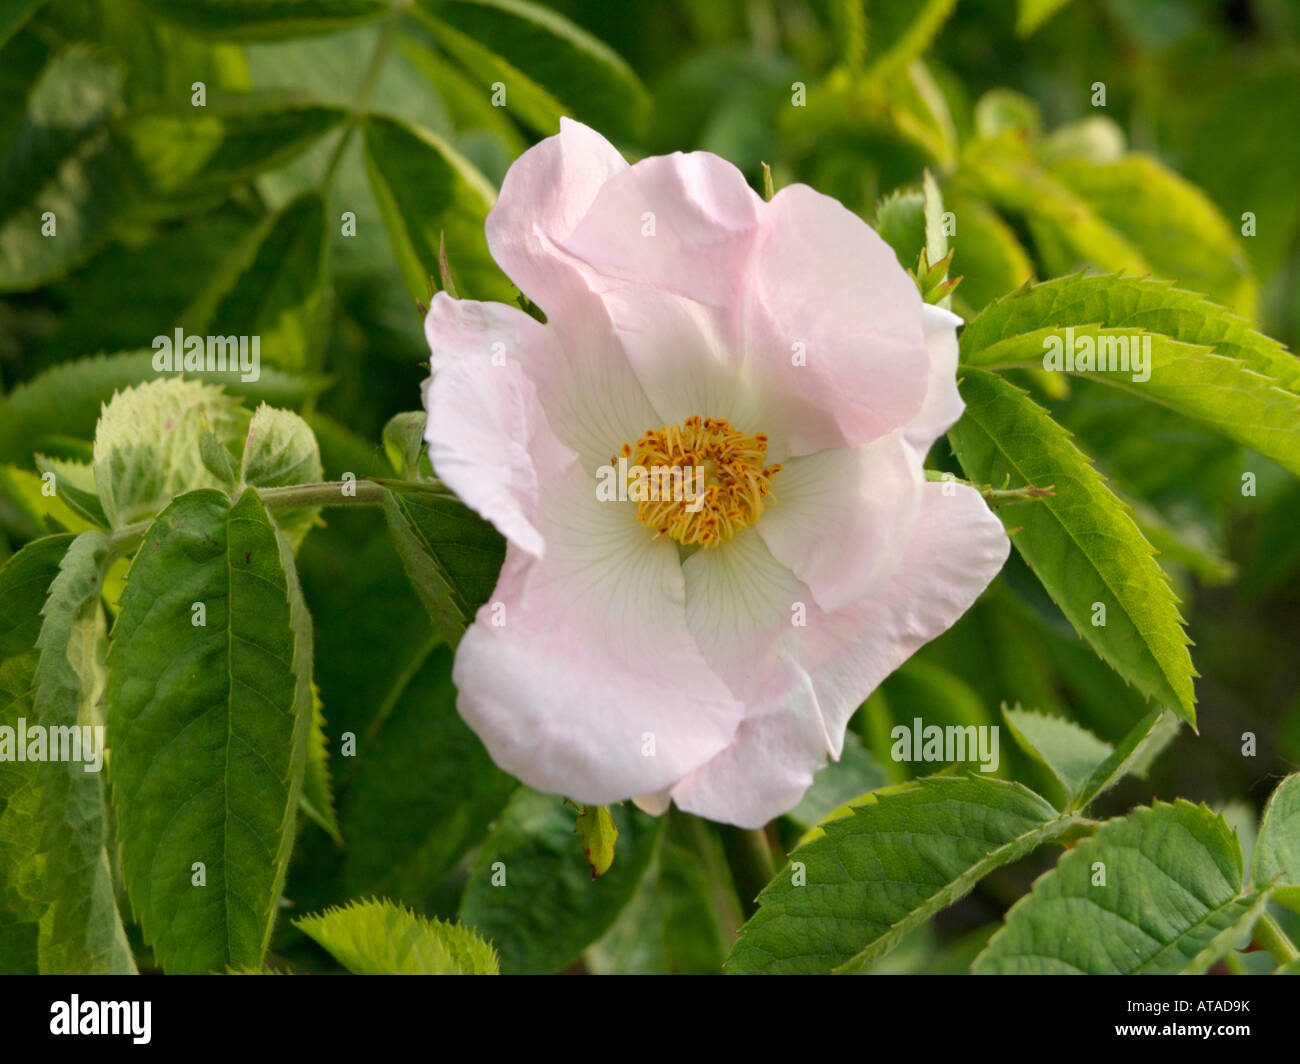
column 593, row 687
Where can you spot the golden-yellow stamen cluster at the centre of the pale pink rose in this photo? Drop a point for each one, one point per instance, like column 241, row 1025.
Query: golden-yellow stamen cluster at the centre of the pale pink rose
column 716, row 475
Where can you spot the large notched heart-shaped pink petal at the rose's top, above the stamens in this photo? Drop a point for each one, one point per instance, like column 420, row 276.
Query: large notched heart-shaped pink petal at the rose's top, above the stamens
column 790, row 318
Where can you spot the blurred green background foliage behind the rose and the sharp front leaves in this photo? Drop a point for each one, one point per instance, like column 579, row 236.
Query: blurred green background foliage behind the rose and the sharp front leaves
column 235, row 227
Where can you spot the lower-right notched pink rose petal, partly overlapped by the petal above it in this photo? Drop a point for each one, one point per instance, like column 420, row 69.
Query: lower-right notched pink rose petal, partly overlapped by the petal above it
column 748, row 635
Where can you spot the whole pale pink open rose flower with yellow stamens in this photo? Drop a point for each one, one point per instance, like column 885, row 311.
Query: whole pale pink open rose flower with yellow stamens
column 707, row 651
